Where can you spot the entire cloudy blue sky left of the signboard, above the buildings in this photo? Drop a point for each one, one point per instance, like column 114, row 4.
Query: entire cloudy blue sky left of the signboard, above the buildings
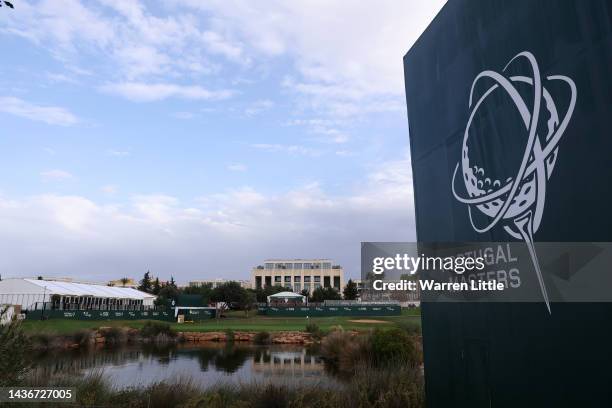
column 196, row 138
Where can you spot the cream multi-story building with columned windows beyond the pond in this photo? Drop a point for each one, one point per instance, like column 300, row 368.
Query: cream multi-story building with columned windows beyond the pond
column 298, row 274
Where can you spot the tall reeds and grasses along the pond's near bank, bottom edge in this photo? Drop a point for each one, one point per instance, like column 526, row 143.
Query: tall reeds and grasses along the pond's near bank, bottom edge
column 400, row 387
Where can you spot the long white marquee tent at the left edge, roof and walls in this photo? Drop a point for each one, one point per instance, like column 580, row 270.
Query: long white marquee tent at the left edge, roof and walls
column 70, row 295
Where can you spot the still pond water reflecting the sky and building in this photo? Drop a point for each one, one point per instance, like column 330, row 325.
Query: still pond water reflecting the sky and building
column 208, row 364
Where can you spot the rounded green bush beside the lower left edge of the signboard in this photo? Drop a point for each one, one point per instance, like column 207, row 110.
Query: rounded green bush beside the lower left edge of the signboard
column 394, row 345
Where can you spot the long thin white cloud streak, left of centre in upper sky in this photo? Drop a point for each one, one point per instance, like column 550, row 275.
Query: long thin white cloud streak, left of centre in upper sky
column 150, row 92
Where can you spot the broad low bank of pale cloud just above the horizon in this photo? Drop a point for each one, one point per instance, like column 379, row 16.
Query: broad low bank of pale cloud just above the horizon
column 232, row 231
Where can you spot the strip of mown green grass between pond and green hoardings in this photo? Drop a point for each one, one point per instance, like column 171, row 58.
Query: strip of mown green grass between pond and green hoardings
column 235, row 321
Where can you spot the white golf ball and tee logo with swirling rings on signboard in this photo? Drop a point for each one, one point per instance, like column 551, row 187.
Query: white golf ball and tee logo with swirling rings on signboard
column 517, row 202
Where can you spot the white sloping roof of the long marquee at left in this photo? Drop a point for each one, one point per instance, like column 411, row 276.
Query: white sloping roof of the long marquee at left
column 84, row 289
